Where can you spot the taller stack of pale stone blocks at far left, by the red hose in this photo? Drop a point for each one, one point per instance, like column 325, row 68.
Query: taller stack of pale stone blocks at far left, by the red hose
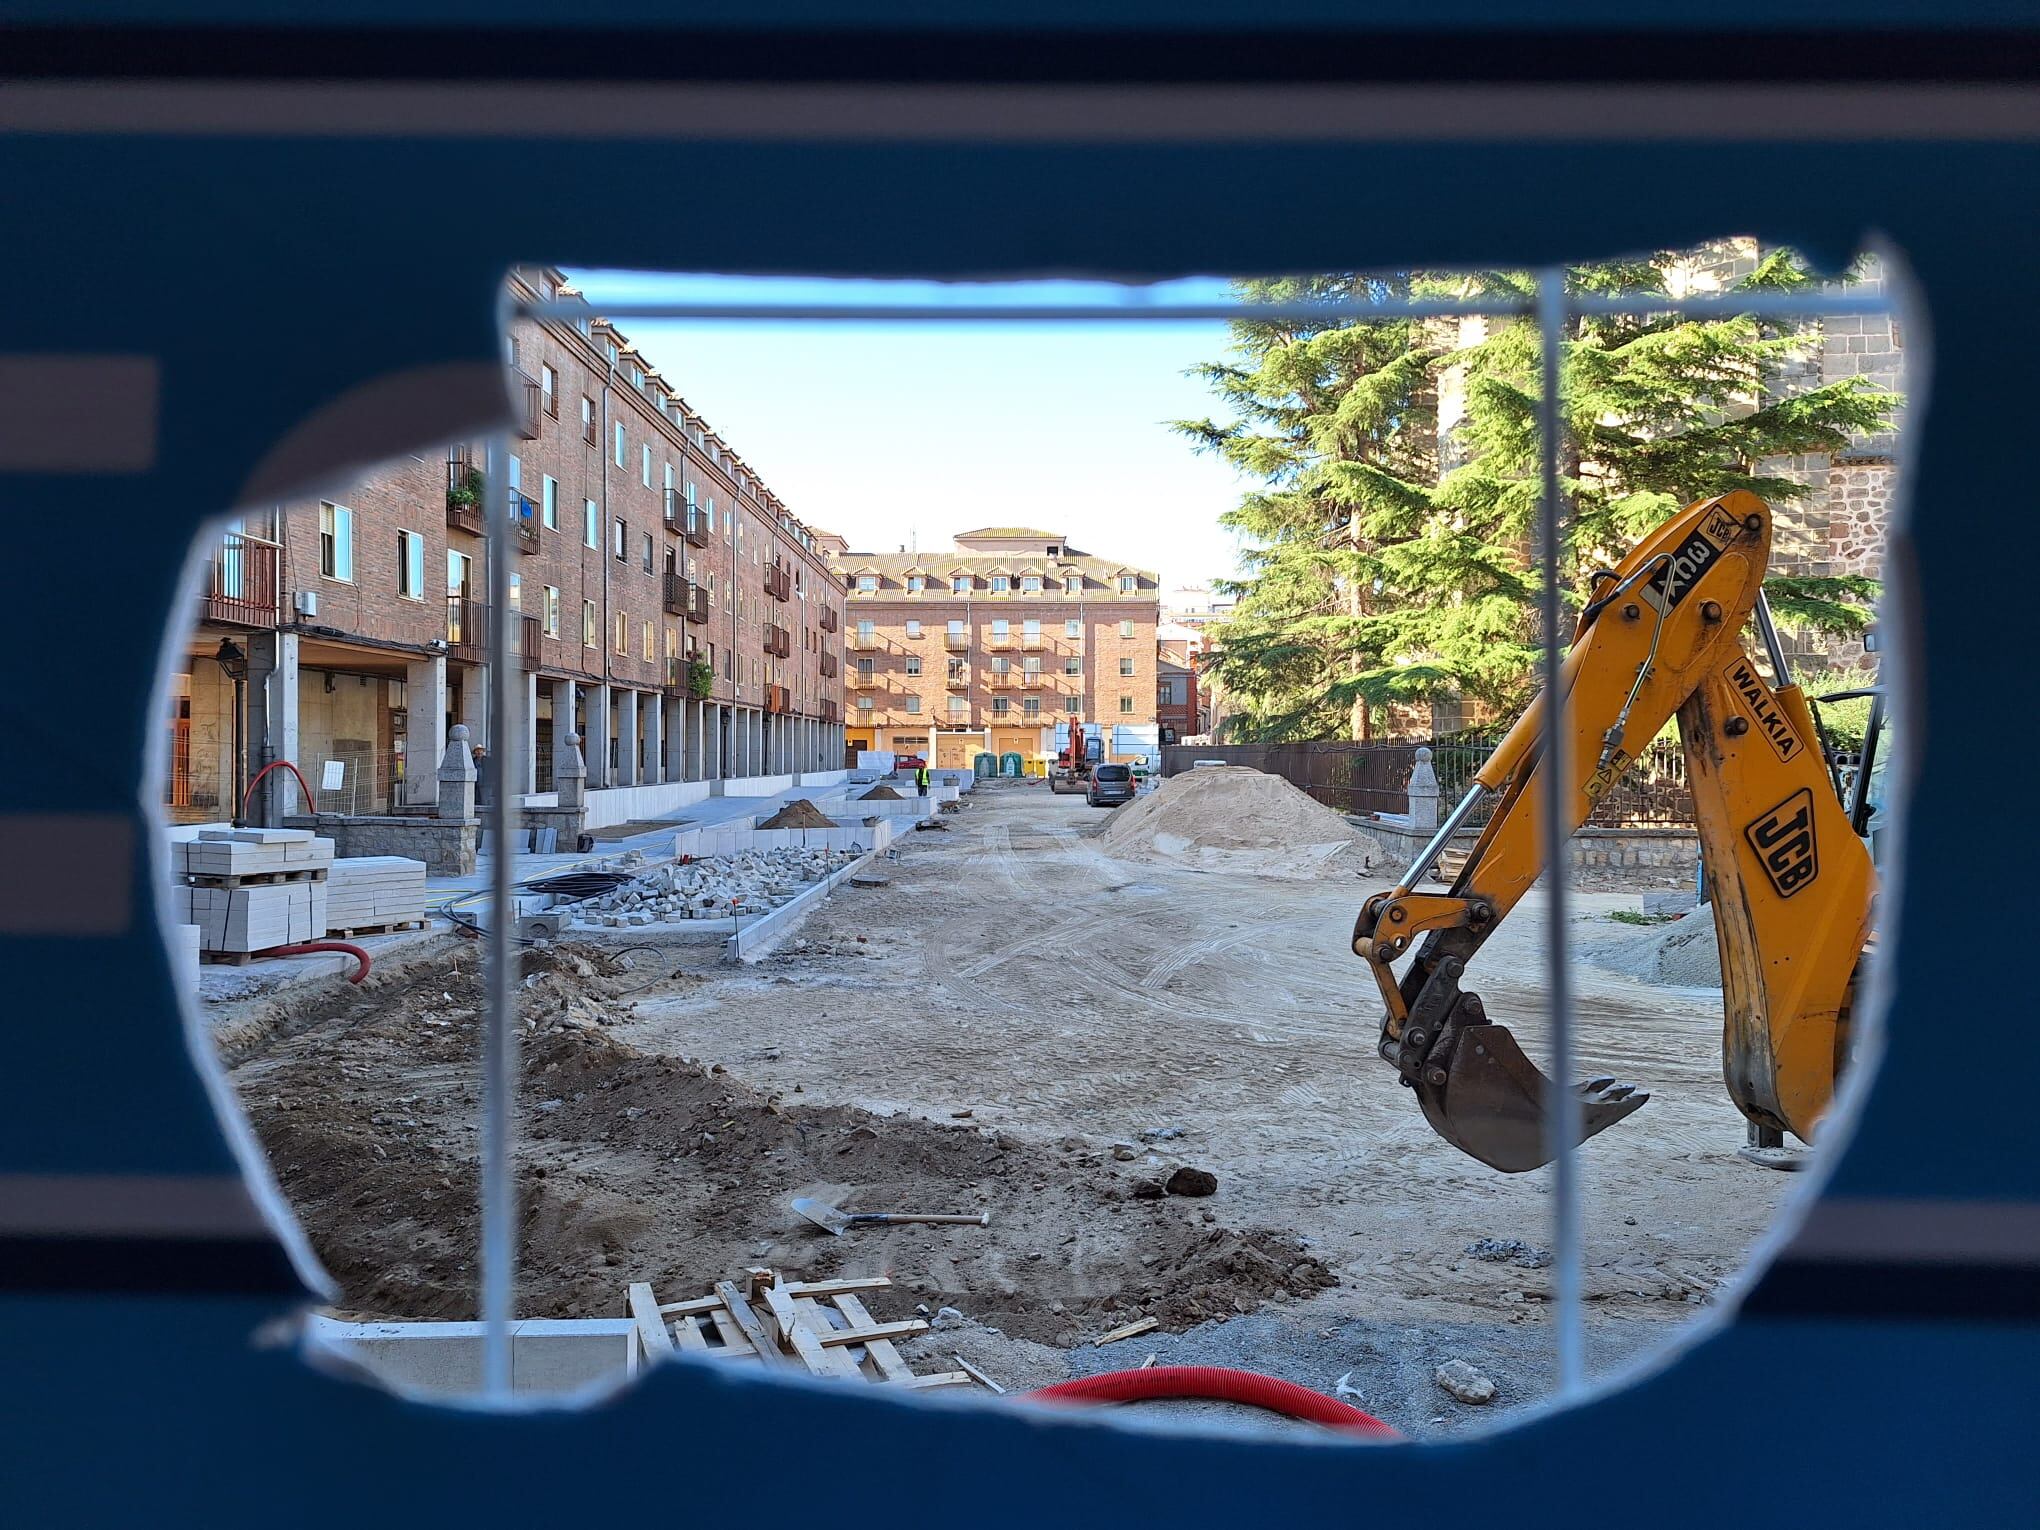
column 252, row 888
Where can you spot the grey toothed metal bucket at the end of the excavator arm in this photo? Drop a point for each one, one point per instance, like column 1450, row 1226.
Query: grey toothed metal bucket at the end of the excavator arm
column 1492, row 1103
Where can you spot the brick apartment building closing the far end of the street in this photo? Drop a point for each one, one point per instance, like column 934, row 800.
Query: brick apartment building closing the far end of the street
column 997, row 648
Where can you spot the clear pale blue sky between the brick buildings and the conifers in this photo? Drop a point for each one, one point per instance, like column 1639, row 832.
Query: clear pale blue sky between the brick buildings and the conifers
column 905, row 433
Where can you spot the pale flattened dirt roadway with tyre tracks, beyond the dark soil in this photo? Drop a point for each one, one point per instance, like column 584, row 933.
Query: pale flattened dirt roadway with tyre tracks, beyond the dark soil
column 1017, row 972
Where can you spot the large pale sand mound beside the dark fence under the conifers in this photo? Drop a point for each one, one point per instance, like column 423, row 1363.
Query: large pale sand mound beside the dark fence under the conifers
column 1229, row 817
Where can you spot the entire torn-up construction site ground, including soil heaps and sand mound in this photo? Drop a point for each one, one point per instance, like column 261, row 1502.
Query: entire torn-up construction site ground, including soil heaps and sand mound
column 1129, row 1058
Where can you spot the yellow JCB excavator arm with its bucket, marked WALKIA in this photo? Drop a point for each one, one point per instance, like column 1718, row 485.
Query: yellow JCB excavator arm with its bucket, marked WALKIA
column 1786, row 862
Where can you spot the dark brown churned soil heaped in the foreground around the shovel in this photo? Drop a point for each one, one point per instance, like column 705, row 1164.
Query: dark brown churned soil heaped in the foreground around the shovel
column 635, row 1166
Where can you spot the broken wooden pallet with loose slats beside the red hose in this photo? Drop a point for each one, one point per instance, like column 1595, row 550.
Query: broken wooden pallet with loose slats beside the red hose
column 815, row 1327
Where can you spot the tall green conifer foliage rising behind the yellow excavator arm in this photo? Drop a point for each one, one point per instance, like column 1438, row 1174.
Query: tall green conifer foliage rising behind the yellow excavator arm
column 1376, row 578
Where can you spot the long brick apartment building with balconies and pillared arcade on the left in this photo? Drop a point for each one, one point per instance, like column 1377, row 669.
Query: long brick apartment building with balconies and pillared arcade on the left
column 662, row 599
